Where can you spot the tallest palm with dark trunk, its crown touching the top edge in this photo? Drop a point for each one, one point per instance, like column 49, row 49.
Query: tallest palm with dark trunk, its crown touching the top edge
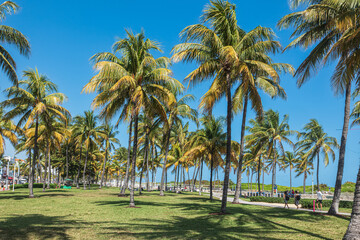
column 217, row 50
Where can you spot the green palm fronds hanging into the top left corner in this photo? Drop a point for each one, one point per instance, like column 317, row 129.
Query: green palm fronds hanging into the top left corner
column 11, row 36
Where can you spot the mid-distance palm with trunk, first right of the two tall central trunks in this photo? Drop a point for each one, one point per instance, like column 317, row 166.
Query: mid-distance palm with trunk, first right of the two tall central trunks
column 271, row 133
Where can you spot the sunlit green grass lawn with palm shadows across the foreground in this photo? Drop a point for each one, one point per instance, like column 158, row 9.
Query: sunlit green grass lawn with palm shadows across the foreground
column 100, row 214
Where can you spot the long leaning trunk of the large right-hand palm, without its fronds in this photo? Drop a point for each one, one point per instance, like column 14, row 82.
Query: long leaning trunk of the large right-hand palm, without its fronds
column 334, row 209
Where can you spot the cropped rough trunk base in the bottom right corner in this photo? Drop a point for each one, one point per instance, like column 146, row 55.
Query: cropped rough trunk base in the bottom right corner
column 353, row 231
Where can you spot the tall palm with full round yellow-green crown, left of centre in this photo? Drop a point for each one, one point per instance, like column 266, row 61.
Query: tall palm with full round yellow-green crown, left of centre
column 133, row 82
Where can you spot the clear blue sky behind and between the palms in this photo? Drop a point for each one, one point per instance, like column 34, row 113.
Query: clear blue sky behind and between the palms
column 65, row 34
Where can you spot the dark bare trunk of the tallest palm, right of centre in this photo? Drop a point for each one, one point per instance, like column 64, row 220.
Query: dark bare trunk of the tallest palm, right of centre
column 228, row 144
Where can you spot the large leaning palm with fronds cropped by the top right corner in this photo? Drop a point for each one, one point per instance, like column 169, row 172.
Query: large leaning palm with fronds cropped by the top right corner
column 316, row 25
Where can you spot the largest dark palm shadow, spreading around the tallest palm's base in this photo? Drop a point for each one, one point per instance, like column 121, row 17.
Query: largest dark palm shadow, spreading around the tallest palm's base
column 250, row 222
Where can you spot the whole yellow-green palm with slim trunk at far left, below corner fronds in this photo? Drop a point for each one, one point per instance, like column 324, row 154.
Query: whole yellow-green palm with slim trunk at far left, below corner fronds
column 35, row 98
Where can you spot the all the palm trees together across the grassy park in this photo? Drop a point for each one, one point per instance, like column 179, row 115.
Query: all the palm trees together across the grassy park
column 132, row 84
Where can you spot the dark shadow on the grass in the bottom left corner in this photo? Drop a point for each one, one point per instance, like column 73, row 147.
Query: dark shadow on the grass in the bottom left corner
column 35, row 226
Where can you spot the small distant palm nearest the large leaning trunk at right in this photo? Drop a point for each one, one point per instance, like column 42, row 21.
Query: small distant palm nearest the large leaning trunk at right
column 316, row 141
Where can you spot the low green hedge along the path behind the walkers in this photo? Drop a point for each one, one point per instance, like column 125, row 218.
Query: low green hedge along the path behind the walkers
column 305, row 203
